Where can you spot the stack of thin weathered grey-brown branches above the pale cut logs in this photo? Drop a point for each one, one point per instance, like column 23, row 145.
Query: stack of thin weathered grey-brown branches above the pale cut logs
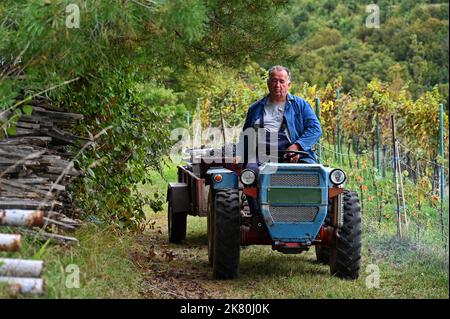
column 36, row 166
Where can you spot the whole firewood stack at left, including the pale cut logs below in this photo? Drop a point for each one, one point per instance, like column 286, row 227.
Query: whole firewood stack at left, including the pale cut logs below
column 36, row 167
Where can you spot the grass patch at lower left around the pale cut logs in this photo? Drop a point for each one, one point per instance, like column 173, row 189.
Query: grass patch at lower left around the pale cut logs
column 103, row 260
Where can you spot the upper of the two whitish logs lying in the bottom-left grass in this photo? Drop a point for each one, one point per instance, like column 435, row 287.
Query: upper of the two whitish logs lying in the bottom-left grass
column 21, row 268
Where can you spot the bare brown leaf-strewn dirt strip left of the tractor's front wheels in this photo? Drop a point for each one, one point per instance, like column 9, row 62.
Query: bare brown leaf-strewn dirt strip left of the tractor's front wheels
column 174, row 271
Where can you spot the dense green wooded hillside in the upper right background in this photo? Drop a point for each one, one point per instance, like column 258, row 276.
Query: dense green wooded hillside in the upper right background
column 330, row 40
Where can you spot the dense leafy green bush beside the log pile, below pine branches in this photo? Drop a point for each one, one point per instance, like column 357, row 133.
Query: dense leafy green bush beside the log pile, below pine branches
column 134, row 142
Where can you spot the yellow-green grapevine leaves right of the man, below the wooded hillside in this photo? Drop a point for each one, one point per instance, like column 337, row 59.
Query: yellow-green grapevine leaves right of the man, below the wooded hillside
column 417, row 120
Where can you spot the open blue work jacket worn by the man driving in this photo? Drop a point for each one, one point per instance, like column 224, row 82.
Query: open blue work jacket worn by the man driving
column 303, row 125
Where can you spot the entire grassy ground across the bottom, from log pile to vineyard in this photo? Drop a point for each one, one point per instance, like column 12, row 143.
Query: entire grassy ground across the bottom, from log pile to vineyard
column 115, row 264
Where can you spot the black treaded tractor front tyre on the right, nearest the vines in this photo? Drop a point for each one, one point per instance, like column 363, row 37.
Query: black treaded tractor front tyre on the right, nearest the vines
column 345, row 257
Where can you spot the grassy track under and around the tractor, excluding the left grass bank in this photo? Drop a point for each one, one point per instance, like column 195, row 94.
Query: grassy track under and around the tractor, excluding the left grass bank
column 182, row 271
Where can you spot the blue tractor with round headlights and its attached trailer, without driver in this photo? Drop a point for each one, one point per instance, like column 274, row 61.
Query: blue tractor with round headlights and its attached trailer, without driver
column 298, row 206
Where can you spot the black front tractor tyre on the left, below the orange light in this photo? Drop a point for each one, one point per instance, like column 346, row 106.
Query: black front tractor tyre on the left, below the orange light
column 227, row 234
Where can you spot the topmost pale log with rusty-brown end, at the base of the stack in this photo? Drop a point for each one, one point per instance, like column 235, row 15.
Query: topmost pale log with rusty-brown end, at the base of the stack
column 20, row 217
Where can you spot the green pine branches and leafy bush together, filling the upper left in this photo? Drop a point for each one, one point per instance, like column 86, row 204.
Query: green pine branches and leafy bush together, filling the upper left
column 128, row 58
